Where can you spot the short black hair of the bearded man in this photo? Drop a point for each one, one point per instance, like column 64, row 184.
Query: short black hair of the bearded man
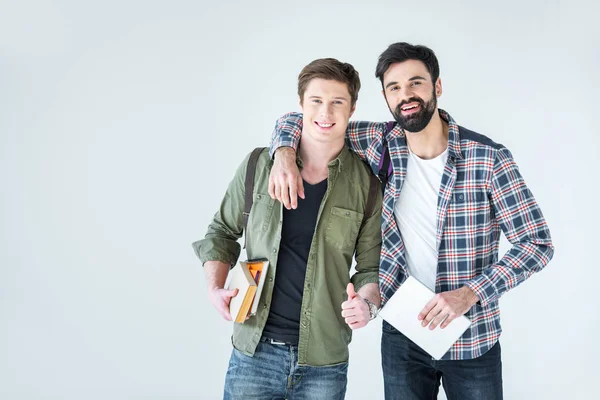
column 402, row 51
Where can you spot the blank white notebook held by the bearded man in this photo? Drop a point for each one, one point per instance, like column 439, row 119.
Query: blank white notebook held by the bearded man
column 402, row 309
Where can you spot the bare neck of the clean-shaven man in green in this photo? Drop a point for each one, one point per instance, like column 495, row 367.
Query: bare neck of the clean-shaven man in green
column 316, row 157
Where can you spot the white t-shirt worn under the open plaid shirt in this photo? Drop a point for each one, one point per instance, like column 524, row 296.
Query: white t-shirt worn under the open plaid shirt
column 416, row 215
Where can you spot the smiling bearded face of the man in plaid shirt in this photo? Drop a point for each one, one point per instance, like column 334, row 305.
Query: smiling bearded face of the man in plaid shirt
column 410, row 94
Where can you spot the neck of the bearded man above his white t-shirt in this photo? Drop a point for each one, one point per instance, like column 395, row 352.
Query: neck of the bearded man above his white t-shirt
column 431, row 141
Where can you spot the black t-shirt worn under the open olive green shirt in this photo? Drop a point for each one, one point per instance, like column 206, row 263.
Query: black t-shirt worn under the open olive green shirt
column 298, row 229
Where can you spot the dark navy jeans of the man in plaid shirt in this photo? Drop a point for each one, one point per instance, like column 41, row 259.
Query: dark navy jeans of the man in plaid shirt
column 410, row 373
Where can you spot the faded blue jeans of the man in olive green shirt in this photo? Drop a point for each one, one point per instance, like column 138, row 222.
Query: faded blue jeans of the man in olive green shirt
column 273, row 373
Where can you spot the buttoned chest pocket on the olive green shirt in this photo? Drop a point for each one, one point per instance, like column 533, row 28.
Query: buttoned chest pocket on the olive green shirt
column 343, row 227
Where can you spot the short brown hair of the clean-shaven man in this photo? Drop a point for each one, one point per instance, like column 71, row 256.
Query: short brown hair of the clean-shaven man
column 330, row 68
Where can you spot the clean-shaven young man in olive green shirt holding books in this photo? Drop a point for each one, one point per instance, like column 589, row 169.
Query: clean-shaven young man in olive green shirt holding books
column 297, row 344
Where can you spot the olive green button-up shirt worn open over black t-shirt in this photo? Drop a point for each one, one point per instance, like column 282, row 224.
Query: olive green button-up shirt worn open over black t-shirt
column 340, row 233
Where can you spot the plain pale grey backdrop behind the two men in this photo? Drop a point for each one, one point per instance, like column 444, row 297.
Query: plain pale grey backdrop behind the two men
column 122, row 122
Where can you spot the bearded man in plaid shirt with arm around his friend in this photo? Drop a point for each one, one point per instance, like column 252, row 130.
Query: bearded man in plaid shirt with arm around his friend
column 451, row 192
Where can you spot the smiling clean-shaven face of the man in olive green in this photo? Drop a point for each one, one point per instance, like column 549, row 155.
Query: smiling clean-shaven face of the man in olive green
column 327, row 107
